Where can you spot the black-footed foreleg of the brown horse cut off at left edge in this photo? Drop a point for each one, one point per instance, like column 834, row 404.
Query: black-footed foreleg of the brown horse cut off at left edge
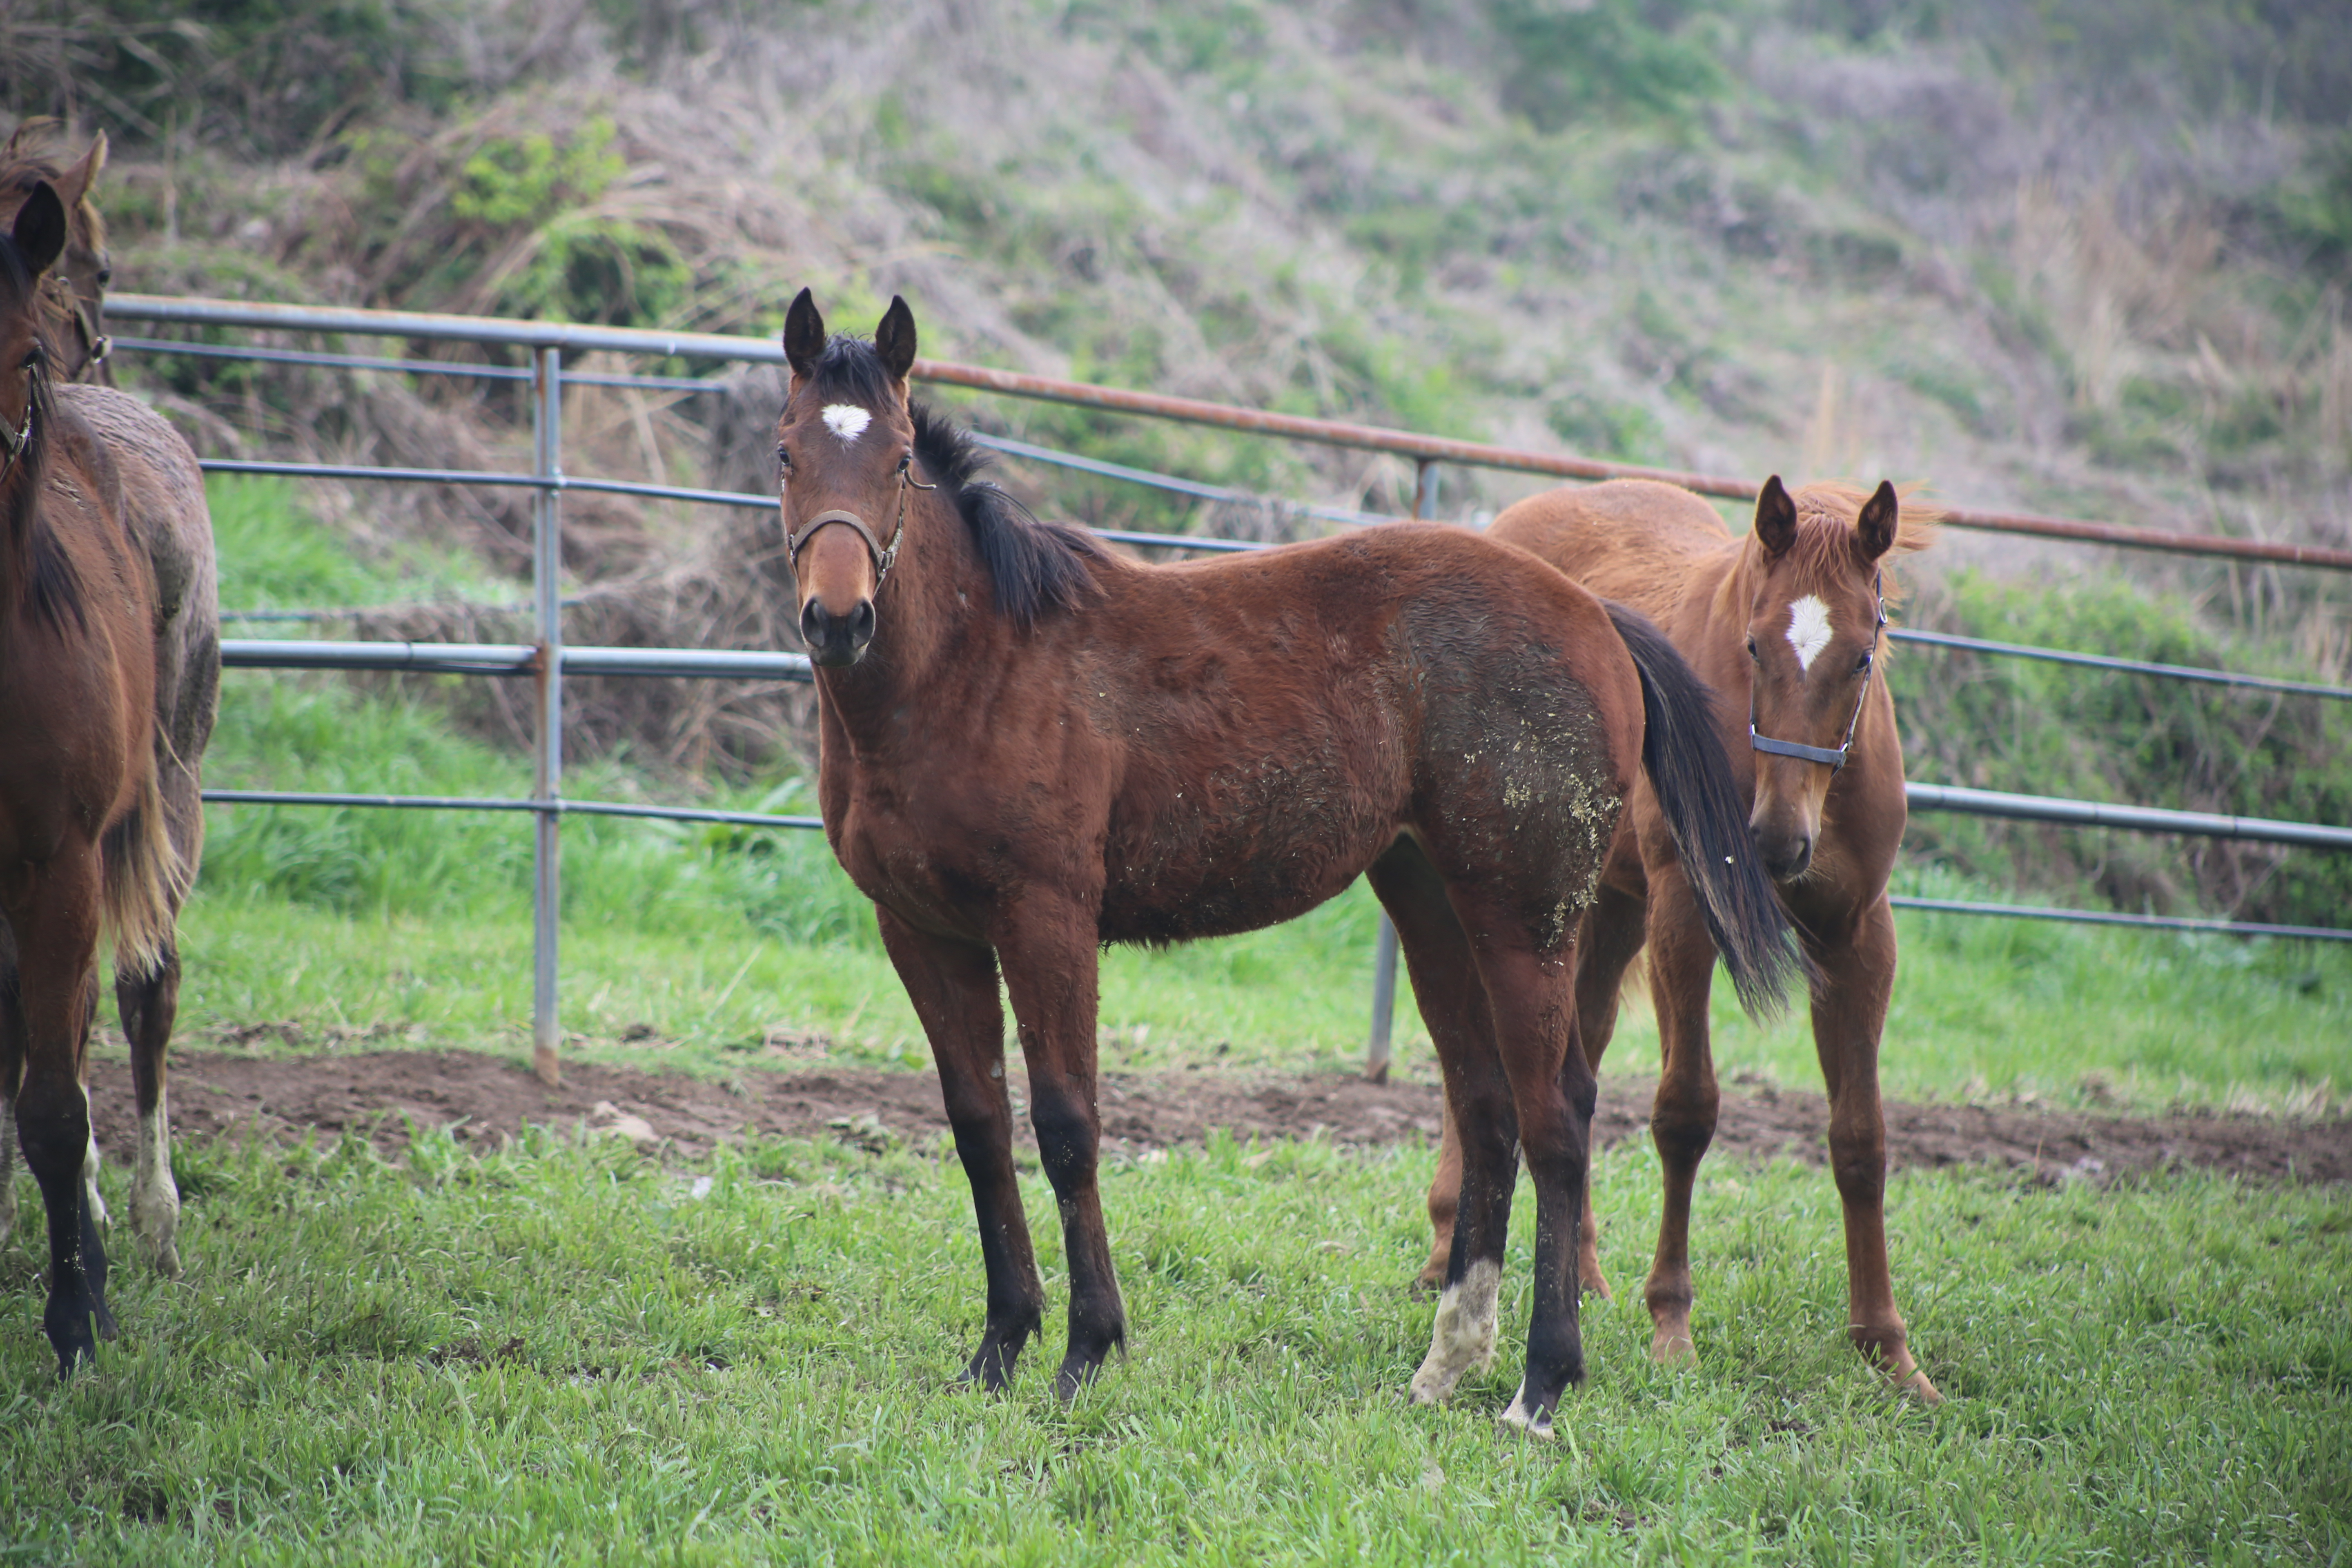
column 58, row 937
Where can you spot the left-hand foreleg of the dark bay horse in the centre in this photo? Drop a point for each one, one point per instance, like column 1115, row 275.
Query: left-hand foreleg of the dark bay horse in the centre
column 954, row 989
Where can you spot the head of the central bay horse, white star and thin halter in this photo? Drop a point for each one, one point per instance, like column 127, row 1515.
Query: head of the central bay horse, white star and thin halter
column 846, row 448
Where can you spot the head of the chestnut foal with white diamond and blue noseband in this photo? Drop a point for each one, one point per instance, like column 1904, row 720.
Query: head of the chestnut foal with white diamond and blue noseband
column 1815, row 641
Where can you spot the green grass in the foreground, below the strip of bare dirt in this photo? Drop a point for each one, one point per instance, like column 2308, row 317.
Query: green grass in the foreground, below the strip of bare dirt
column 570, row 1353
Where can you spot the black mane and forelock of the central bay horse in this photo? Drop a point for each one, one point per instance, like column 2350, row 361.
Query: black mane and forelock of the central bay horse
column 1036, row 568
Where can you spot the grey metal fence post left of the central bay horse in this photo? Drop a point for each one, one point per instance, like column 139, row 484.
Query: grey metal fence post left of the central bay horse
column 549, row 756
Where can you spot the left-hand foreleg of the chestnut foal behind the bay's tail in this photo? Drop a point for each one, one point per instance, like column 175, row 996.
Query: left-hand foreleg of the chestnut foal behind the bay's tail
column 1683, row 1115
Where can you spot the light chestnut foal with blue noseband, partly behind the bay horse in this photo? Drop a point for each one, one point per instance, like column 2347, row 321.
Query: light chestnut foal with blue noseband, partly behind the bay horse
column 1786, row 629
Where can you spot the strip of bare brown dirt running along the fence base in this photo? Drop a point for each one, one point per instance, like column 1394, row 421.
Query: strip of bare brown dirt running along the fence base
column 377, row 1092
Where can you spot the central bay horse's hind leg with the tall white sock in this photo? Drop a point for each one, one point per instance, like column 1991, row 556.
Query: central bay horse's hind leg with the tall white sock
column 1478, row 1111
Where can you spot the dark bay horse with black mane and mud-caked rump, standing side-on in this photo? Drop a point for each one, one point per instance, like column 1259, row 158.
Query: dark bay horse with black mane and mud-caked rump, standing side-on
column 1031, row 749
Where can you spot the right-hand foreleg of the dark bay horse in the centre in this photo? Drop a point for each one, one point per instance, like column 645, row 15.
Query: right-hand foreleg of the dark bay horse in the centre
column 1050, row 974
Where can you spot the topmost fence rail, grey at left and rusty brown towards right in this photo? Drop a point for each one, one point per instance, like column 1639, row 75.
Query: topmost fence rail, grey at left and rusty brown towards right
column 573, row 337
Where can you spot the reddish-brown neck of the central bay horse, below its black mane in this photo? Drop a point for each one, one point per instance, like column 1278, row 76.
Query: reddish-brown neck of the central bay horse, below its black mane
column 928, row 615
